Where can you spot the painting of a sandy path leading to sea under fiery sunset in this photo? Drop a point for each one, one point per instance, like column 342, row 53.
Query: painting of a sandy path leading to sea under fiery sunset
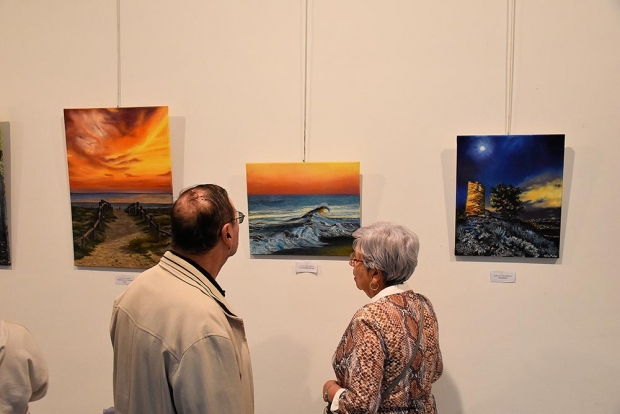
column 120, row 181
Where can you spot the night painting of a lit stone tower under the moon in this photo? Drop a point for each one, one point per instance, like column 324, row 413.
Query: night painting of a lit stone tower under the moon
column 509, row 195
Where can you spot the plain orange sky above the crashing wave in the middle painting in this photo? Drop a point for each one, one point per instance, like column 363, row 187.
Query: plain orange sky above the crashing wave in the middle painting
column 303, row 178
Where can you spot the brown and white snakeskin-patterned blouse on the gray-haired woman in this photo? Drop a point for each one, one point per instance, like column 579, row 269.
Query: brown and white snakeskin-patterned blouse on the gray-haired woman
column 375, row 348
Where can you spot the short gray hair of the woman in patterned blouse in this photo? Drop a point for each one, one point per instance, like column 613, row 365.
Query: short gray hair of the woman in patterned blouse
column 388, row 247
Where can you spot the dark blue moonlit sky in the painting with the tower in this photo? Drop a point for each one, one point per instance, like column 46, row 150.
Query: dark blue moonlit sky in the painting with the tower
column 533, row 163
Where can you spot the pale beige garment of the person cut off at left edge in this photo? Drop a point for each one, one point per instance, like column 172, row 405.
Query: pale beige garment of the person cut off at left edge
column 23, row 369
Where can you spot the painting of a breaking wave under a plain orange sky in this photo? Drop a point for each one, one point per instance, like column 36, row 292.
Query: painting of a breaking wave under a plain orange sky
column 304, row 209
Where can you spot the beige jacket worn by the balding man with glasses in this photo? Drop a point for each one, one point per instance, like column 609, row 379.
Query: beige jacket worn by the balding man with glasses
column 178, row 346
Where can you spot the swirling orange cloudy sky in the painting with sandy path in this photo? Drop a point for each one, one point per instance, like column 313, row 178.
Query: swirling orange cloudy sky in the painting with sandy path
column 118, row 149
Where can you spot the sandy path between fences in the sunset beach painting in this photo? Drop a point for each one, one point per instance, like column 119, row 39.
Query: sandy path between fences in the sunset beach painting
column 110, row 253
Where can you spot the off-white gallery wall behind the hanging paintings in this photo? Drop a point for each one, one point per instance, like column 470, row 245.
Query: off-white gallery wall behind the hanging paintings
column 387, row 83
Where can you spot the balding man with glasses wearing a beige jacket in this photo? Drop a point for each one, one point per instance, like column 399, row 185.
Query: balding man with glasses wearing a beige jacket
column 179, row 347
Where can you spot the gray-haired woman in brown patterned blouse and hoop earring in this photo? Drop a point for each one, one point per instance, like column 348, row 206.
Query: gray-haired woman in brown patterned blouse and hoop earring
column 389, row 355
